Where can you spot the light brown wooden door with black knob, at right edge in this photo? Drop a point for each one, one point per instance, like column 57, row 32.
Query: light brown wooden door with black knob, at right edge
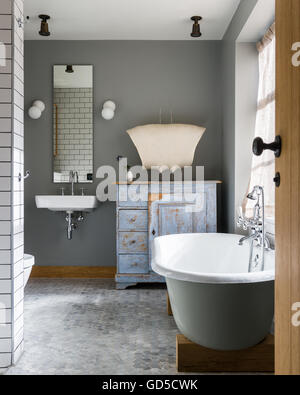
column 287, row 284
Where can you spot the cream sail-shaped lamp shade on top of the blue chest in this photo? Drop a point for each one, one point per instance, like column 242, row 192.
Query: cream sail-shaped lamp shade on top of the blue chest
column 166, row 145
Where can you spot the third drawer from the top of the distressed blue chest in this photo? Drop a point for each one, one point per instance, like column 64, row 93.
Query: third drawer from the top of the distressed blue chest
column 133, row 242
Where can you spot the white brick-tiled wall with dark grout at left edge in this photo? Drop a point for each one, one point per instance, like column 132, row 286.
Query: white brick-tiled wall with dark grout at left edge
column 11, row 190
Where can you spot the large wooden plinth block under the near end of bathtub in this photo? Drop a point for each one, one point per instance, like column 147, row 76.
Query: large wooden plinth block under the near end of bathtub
column 192, row 358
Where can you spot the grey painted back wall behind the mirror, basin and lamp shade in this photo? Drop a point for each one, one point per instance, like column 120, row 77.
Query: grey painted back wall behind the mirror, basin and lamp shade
column 140, row 77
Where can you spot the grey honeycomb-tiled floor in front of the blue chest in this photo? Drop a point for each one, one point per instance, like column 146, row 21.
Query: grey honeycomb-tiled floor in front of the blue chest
column 88, row 327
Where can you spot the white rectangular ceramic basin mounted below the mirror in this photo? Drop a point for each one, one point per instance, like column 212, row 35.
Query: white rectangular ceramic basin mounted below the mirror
column 67, row 203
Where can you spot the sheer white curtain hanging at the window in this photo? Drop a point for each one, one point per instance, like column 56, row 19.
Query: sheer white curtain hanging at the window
column 263, row 167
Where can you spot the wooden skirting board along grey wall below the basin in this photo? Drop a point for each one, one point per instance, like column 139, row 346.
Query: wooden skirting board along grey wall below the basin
column 73, row 272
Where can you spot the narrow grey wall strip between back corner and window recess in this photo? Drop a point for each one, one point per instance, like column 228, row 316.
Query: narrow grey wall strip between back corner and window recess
column 228, row 61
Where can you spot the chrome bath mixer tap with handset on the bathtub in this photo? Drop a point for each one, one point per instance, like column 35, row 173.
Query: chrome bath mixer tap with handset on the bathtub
column 256, row 225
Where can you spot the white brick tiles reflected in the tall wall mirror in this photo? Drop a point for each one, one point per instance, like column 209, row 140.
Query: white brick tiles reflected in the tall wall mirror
column 75, row 132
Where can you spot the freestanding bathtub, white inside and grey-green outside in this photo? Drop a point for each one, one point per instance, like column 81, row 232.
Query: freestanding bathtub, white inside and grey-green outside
column 215, row 301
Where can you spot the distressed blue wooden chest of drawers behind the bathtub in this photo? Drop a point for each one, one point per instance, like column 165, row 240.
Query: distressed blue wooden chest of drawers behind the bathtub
column 145, row 211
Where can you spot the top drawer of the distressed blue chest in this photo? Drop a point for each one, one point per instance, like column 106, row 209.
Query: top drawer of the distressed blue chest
column 129, row 193
